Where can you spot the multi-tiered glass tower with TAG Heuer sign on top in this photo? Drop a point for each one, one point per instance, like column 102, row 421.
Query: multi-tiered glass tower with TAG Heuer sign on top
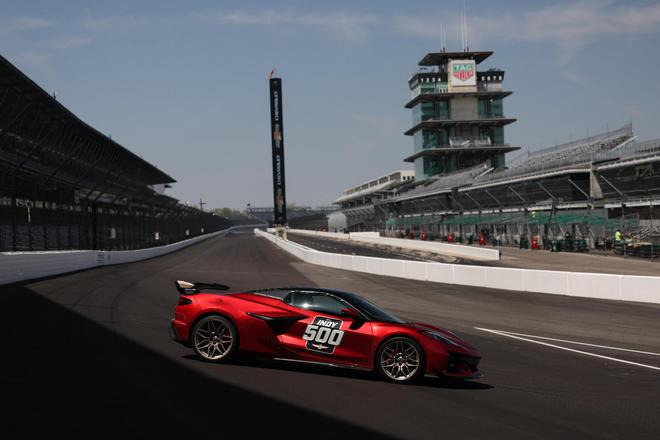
column 458, row 116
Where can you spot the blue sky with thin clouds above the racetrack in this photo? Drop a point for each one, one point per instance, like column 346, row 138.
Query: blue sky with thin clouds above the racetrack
column 184, row 84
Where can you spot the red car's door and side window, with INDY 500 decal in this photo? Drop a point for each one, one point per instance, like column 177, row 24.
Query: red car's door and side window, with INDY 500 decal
column 327, row 335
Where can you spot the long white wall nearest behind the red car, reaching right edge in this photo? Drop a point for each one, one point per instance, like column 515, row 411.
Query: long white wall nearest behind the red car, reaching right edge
column 578, row 284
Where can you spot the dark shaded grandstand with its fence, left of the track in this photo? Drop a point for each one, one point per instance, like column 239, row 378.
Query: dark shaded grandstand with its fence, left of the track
column 64, row 185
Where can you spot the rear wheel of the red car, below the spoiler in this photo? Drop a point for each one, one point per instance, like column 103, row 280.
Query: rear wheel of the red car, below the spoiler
column 214, row 338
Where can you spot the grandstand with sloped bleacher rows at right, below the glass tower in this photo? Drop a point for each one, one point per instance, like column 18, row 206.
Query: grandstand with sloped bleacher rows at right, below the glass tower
column 587, row 188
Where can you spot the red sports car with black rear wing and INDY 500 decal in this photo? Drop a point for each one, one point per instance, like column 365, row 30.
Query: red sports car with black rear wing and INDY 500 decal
column 313, row 325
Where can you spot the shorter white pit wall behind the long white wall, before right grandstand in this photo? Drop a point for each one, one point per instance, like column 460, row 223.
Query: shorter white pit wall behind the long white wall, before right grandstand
column 454, row 250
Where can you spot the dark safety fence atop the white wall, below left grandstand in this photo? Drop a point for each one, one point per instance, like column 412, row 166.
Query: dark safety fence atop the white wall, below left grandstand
column 38, row 225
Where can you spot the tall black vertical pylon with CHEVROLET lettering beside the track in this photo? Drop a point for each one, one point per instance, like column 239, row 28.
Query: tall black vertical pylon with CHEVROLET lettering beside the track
column 277, row 144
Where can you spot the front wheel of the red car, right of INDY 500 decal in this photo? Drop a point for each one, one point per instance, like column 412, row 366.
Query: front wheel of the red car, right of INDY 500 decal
column 400, row 360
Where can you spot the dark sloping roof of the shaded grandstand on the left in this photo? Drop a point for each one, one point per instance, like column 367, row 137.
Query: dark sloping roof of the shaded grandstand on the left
column 48, row 115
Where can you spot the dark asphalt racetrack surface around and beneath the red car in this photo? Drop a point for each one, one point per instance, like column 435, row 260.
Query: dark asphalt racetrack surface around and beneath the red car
column 88, row 354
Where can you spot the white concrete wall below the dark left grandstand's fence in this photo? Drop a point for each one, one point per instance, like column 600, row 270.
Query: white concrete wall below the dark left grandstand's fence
column 20, row 266
